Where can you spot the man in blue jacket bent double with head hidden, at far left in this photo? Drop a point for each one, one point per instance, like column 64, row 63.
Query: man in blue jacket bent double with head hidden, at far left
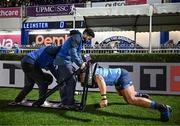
column 32, row 65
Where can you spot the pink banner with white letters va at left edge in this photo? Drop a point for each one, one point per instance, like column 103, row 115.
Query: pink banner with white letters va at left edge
column 8, row 41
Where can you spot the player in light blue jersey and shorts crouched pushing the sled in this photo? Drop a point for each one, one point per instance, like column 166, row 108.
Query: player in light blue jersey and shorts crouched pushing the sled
column 122, row 81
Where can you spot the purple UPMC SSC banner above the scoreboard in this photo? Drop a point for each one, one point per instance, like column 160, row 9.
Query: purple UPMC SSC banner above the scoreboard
column 52, row 10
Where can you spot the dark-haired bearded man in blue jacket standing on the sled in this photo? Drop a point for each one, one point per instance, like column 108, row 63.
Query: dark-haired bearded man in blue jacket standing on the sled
column 71, row 53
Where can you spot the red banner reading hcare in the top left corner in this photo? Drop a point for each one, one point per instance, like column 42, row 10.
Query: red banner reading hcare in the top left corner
column 10, row 12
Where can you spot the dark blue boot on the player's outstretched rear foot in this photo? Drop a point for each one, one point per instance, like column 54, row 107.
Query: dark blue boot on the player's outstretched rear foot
column 166, row 113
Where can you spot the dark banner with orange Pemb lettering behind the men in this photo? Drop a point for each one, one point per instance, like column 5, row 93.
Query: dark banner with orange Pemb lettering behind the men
column 47, row 39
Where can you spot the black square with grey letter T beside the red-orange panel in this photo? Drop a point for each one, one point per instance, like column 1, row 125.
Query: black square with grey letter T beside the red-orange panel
column 153, row 78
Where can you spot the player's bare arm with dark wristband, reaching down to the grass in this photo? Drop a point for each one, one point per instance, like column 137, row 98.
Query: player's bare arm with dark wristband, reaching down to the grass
column 102, row 87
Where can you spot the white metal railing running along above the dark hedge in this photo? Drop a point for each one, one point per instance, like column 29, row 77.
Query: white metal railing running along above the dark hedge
column 104, row 48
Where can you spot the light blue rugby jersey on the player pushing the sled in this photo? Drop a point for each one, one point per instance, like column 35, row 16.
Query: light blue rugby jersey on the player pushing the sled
column 110, row 75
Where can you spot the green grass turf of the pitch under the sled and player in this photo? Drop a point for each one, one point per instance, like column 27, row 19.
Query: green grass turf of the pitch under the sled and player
column 117, row 113
